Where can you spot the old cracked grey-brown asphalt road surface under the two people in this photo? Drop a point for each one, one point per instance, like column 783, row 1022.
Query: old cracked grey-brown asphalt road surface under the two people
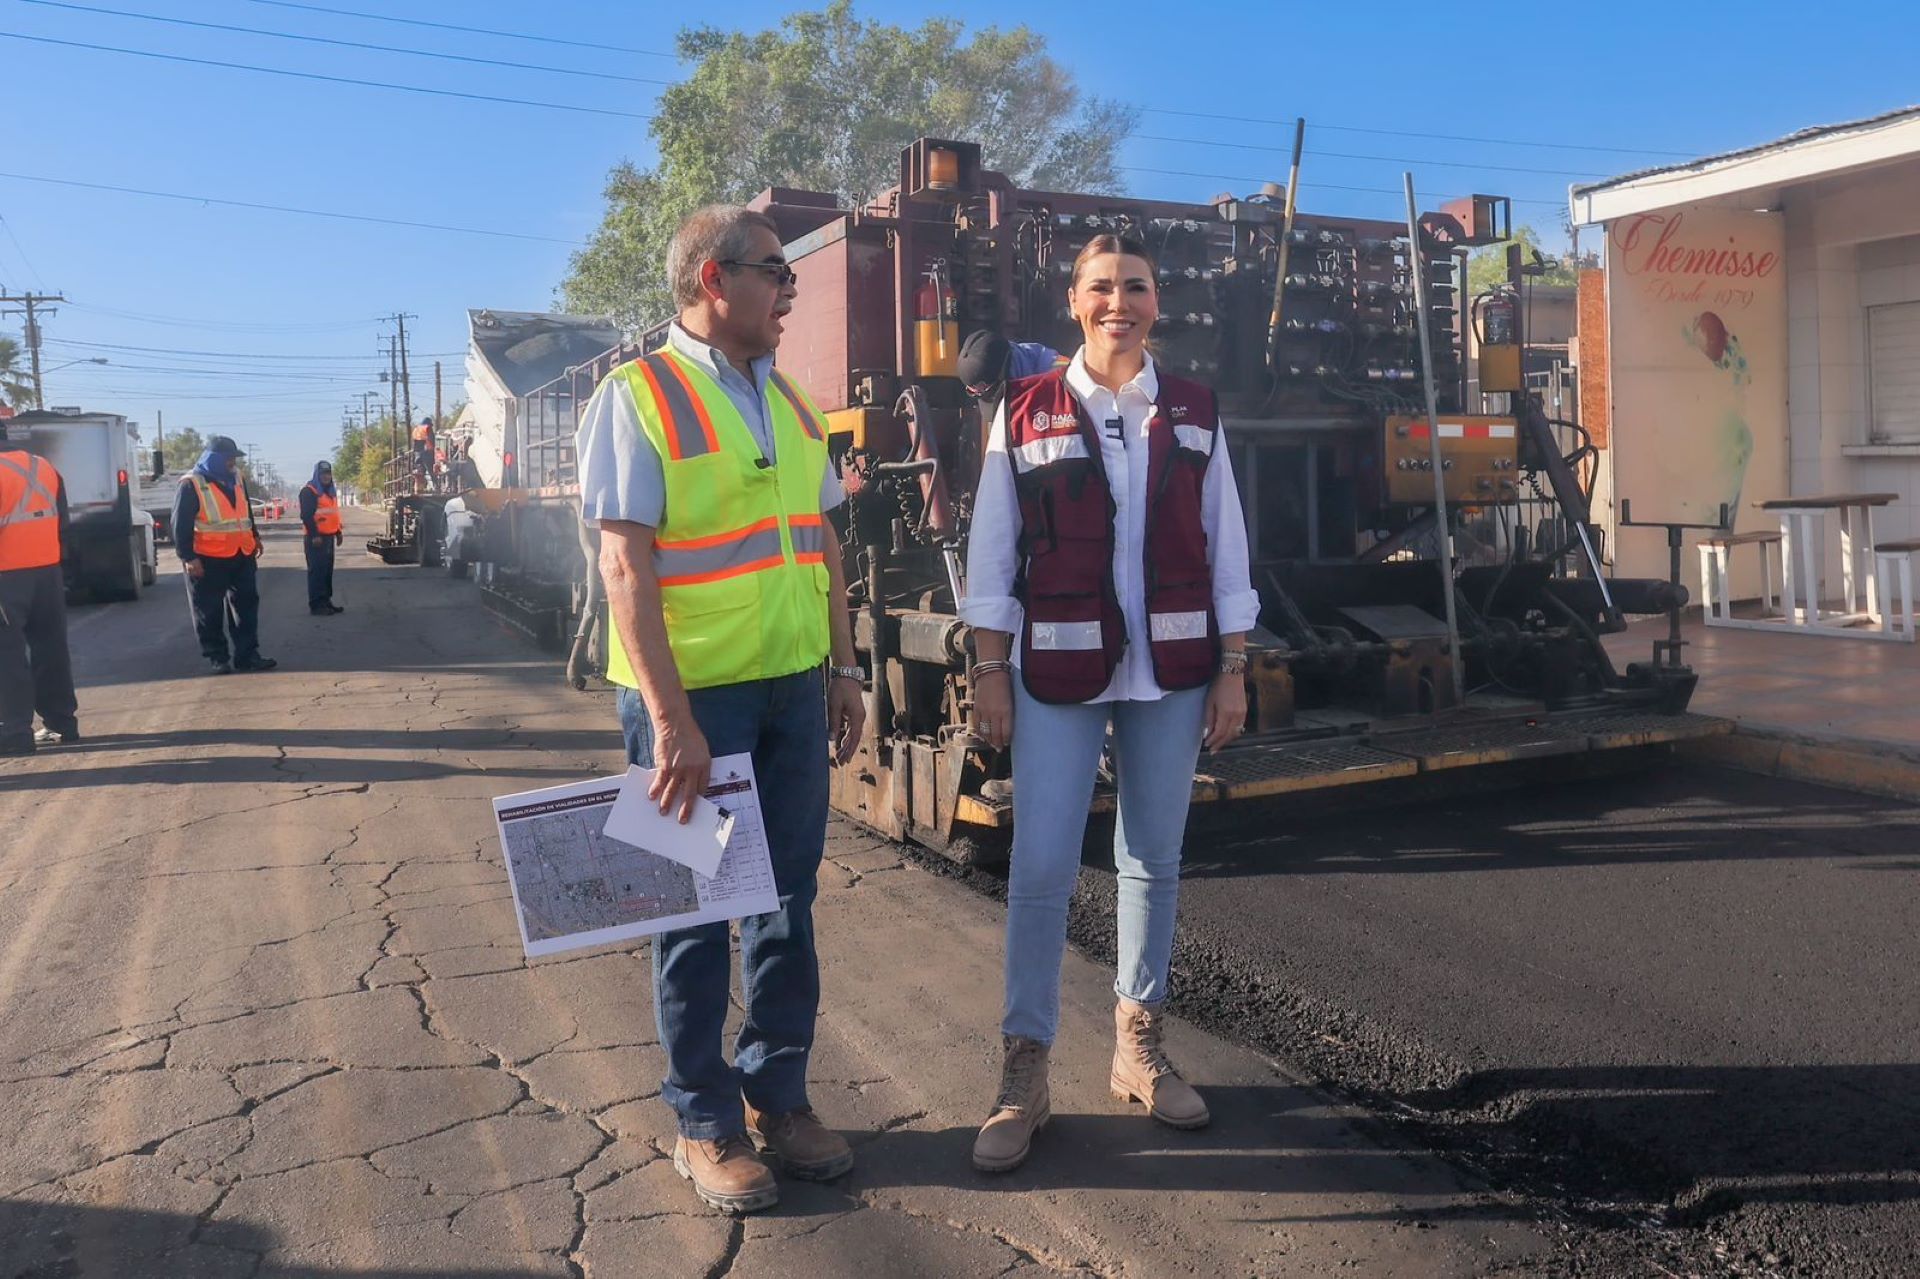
column 264, row 1013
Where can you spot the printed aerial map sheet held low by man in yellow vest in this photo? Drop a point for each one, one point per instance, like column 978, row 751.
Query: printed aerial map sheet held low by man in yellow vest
column 575, row 886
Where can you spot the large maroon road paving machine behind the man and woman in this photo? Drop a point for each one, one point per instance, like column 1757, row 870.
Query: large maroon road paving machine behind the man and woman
column 1433, row 587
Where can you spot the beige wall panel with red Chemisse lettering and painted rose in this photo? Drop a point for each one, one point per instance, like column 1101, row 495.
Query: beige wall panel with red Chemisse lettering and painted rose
column 1696, row 324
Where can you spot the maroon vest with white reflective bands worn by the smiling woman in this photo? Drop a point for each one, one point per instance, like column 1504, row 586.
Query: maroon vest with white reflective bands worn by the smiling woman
column 1074, row 631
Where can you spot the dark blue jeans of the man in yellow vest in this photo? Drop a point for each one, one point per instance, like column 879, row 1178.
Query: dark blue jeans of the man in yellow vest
column 784, row 725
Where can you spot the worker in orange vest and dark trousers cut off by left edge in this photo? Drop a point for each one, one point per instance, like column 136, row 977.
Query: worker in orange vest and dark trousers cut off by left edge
column 36, row 671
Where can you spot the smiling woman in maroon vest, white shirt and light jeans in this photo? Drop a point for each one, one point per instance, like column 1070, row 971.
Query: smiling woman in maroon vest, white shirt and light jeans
column 1107, row 589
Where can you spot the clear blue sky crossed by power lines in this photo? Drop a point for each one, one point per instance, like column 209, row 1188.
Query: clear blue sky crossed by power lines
column 262, row 326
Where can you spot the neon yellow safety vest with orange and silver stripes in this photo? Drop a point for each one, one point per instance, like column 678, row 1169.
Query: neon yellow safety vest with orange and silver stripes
column 742, row 548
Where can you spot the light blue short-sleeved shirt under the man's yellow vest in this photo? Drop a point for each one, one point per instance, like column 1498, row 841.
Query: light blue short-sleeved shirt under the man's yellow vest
column 621, row 475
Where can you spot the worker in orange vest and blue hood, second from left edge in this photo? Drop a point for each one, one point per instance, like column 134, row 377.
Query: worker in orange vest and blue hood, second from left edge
column 220, row 544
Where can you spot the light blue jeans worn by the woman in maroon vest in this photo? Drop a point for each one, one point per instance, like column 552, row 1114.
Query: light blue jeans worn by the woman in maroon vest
column 1057, row 758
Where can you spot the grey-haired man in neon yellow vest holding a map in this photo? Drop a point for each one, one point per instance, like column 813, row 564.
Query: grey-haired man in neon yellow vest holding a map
column 708, row 475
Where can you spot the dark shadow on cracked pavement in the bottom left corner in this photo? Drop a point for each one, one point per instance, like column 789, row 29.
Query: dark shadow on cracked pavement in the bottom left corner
column 80, row 1242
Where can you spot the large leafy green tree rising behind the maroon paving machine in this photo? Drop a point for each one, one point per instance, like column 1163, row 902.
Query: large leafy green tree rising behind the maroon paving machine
column 828, row 103
